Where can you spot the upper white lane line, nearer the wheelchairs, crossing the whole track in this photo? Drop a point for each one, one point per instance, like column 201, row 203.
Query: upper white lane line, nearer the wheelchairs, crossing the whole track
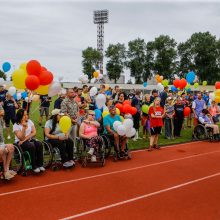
column 105, row 174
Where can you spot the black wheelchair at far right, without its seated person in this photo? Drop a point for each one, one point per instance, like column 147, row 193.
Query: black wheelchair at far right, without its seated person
column 201, row 132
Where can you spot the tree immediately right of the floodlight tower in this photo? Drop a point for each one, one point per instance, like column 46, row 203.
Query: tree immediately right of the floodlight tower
column 116, row 55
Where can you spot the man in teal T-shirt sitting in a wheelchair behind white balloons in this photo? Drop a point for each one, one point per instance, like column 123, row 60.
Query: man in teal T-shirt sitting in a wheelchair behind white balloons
column 108, row 122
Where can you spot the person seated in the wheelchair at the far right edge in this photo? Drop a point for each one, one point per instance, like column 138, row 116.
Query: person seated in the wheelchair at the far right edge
column 208, row 123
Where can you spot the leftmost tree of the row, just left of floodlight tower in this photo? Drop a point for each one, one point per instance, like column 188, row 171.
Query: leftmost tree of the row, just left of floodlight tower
column 91, row 58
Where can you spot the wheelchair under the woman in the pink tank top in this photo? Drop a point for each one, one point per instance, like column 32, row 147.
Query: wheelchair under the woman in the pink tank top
column 81, row 152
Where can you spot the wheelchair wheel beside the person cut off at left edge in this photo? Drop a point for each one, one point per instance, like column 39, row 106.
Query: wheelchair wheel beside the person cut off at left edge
column 17, row 159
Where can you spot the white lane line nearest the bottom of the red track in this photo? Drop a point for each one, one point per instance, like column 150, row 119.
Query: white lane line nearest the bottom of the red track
column 140, row 197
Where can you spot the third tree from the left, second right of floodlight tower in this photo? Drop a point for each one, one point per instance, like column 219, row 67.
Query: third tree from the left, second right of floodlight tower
column 136, row 62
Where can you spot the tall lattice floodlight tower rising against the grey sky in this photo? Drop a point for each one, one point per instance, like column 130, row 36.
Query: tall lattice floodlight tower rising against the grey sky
column 100, row 17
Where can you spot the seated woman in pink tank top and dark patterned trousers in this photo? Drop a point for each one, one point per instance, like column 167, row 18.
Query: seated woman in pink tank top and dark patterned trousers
column 89, row 132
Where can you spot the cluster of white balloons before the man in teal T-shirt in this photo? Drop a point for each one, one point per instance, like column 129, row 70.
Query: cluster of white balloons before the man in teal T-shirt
column 125, row 128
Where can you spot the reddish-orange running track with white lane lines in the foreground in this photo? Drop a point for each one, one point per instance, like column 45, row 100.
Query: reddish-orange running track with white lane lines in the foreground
column 180, row 182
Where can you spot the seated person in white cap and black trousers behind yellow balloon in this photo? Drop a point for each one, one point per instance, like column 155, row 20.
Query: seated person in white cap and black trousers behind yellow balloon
column 57, row 138
